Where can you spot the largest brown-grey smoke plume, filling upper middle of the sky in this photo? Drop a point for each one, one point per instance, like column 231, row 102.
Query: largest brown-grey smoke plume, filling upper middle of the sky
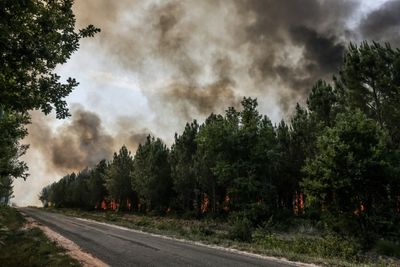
column 181, row 41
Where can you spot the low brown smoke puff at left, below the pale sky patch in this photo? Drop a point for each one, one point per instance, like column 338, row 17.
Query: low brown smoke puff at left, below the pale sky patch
column 79, row 143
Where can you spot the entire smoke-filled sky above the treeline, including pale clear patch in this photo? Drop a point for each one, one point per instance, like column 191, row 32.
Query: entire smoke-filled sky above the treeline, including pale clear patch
column 158, row 64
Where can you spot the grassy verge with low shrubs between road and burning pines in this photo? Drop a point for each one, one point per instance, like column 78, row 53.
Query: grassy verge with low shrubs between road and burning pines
column 301, row 243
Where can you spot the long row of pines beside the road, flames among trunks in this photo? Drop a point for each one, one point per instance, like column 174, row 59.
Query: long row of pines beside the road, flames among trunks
column 336, row 160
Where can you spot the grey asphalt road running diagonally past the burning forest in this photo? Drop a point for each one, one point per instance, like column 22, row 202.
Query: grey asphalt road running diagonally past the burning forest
column 123, row 247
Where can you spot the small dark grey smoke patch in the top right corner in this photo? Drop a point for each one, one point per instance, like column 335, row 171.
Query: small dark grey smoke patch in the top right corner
column 383, row 25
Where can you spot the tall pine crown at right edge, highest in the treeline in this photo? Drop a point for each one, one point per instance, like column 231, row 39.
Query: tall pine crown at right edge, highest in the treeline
column 369, row 80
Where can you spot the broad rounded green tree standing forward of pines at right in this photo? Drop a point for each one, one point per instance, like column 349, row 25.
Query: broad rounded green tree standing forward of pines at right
column 350, row 171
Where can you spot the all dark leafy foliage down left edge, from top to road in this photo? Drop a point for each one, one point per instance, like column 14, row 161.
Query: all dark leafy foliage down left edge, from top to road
column 35, row 37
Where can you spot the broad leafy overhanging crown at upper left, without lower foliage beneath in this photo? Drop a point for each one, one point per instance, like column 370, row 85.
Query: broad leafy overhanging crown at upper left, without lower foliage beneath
column 36, row 36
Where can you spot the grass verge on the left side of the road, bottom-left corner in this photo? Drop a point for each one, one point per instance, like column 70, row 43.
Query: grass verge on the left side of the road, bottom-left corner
column 25, row 246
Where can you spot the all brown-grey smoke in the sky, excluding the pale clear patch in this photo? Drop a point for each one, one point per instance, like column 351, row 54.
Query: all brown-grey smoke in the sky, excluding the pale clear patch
column 197, row 57
